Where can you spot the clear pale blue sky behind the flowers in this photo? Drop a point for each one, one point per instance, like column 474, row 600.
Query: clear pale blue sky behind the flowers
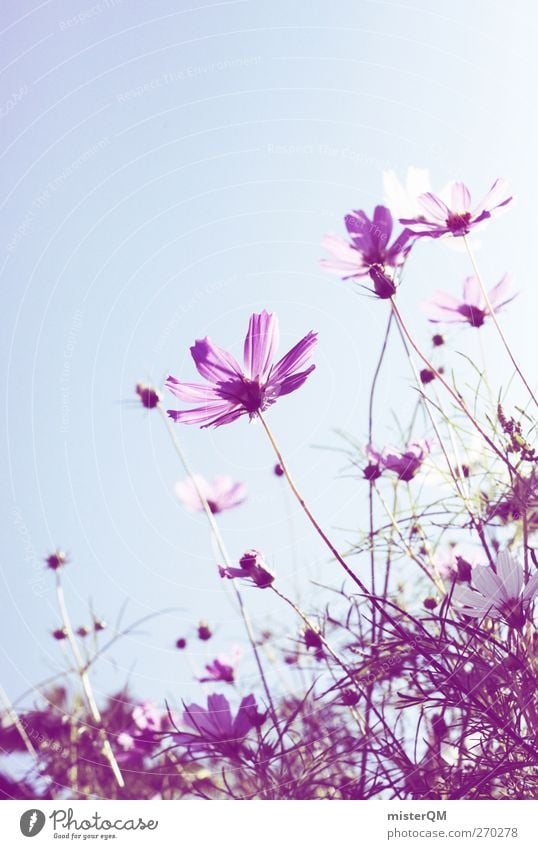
column 168, row 167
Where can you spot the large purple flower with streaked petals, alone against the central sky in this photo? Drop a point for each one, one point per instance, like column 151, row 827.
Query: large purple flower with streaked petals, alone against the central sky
column 231, row 391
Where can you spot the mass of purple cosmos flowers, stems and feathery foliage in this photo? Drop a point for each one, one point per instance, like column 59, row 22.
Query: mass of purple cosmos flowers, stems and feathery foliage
column 411, row 674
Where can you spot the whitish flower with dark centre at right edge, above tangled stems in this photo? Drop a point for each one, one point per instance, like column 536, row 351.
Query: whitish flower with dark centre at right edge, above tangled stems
column 499, row 594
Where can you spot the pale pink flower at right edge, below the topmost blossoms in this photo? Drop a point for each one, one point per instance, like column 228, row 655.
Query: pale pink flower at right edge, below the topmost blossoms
column 472, row 308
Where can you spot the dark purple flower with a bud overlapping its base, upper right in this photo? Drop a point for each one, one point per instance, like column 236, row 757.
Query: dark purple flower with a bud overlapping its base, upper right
column 368, row 253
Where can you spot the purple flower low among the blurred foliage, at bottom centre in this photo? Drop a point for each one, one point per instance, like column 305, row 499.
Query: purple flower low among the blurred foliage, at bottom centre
column 215, row 723
